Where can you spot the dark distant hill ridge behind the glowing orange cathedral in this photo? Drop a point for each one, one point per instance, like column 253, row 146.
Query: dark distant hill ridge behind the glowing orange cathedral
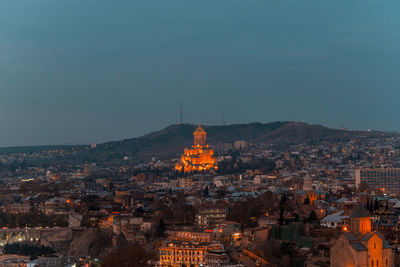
column 171, row 141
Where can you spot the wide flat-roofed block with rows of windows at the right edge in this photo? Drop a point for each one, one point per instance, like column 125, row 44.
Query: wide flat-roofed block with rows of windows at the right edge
column 386, row 180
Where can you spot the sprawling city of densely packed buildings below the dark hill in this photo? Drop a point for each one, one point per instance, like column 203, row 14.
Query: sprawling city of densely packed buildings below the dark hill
column 265, row 205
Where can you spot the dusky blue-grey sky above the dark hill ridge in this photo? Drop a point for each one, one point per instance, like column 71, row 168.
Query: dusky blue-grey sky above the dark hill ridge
column 89, row 71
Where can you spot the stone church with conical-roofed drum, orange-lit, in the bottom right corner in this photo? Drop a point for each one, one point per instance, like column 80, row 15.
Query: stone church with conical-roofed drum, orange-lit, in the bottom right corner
column 359, row 246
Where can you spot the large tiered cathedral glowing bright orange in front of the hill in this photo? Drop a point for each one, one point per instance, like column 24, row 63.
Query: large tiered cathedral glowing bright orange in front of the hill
column 200, row 157
